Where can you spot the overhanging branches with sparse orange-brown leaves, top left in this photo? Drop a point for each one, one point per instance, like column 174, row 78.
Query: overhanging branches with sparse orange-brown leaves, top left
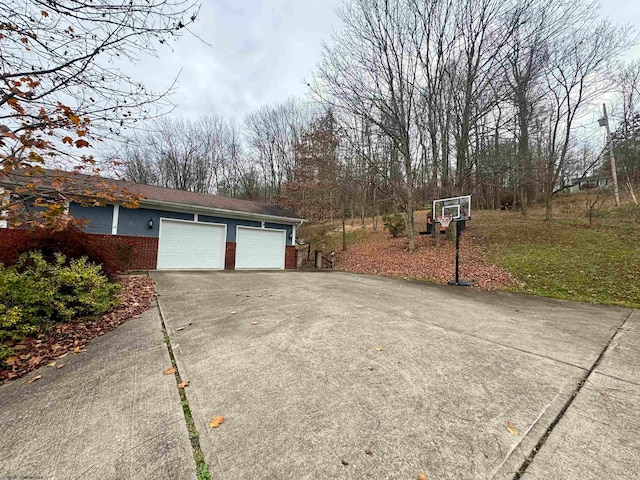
column 61, row 88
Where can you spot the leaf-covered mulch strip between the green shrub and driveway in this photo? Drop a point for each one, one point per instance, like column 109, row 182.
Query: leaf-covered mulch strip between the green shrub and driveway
column 71, row 338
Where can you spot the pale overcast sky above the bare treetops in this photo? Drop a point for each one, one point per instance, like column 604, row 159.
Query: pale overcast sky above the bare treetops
column 261, row 52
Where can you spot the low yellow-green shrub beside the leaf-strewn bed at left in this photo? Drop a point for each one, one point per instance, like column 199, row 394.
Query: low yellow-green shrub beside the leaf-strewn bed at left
column 35, row 293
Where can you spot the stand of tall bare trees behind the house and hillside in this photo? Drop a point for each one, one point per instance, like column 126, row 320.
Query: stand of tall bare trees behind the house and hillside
column 416, row 100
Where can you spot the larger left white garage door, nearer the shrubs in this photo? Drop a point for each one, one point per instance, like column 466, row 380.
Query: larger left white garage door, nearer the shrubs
column 189, row 245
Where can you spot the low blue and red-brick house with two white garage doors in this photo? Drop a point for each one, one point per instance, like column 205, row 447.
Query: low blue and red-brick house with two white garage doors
column 174, row 229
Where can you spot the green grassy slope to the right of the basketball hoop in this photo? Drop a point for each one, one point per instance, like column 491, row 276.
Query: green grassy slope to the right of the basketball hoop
column 565, row 257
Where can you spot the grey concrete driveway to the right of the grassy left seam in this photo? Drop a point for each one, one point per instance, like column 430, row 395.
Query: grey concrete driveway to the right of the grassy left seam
column 332, row 375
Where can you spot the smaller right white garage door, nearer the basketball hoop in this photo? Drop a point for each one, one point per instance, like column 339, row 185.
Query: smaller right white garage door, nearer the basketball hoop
column 259, row 248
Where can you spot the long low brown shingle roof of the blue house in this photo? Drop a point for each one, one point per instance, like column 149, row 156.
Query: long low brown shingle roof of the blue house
column 152, row 196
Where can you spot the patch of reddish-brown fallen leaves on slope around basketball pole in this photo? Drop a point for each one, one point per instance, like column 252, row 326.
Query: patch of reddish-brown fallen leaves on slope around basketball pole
column 383, row 255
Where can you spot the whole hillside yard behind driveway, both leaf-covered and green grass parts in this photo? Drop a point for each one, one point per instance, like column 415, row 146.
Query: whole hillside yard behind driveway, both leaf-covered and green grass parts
column 562, row 258
